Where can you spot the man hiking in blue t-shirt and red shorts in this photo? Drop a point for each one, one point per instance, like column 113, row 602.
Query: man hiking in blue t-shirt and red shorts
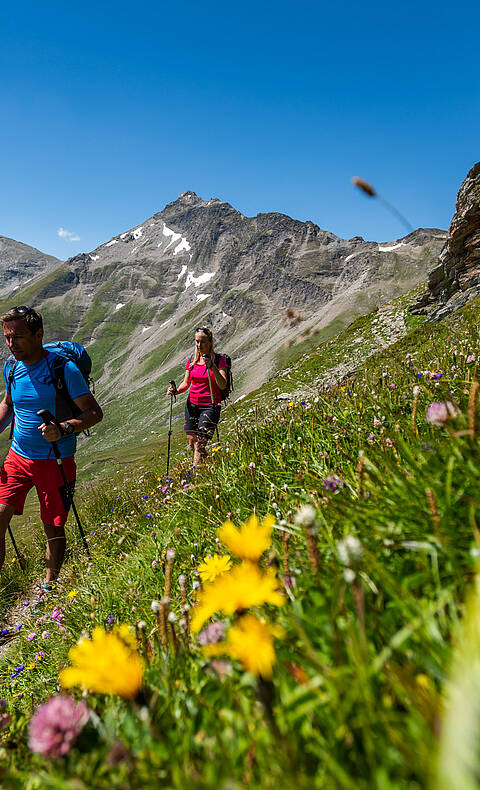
column 30, row 462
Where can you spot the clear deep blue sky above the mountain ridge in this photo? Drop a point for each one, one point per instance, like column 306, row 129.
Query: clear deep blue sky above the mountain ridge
column 110, row 110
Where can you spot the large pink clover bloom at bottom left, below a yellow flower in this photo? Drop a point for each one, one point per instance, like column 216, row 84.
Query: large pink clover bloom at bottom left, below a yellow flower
column 56, row 725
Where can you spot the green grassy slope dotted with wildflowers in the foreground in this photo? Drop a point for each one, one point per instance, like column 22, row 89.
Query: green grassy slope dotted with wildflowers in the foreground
column 361, row 670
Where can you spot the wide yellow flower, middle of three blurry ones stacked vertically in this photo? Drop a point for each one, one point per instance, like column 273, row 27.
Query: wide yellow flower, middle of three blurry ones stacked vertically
column 246, row 585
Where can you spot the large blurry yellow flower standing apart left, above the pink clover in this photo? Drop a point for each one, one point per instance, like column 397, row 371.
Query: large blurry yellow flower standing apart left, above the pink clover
column 107, row 664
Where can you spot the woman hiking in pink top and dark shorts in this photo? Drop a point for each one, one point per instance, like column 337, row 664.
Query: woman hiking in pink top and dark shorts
column 205, row 376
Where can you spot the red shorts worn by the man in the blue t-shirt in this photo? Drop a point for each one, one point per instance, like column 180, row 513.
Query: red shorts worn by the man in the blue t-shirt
column 18, row 475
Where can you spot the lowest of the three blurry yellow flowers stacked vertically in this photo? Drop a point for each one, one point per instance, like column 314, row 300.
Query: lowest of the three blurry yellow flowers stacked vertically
column 251, row 642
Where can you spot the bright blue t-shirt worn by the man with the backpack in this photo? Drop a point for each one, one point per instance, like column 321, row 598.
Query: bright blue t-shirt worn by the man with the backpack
column 32, row 389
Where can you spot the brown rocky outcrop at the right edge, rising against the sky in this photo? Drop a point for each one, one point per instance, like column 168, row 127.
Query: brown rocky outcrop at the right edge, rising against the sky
column 456, row 279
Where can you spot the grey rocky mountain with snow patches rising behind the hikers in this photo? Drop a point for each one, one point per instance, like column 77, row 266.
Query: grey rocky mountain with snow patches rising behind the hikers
column 137, row 298
